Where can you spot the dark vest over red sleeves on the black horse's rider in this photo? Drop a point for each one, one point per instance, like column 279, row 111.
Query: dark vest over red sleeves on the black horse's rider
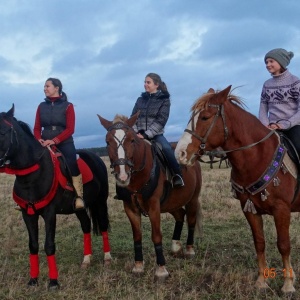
column 53, row 118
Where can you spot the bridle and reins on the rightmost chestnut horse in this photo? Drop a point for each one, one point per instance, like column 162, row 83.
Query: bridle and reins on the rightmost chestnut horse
column 203, row 140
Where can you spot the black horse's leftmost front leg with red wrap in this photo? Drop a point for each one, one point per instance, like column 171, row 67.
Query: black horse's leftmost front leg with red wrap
column 31, row 222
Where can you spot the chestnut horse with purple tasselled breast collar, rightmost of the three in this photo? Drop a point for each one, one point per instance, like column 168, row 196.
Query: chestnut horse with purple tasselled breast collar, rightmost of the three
column 262, row 176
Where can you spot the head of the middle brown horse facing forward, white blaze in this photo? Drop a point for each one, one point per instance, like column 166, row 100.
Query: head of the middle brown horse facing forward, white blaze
column 122, row 146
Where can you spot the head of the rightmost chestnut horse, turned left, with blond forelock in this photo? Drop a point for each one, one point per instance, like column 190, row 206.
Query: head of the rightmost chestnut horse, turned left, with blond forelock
column 206, row 129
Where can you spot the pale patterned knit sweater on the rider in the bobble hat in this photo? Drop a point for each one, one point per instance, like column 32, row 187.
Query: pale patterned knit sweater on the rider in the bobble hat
column 280, row 101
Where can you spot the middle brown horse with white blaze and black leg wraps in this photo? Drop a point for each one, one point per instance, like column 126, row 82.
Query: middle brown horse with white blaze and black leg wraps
column 138, row 171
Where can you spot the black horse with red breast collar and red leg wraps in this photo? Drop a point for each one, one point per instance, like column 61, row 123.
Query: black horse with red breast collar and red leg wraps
column 43, row 188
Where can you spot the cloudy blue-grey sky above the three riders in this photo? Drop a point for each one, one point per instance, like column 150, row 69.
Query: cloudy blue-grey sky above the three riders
column 102, row 51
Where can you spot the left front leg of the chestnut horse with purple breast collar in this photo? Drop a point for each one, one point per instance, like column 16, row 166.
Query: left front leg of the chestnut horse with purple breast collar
column 256, row 223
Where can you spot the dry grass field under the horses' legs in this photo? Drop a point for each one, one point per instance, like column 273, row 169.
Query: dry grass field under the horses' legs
column 224, row 266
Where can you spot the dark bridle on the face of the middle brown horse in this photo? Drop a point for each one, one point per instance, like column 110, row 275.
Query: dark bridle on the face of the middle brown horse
column 124, row 161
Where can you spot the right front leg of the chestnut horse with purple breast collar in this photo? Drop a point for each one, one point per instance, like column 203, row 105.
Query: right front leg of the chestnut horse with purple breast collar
column 282, row 222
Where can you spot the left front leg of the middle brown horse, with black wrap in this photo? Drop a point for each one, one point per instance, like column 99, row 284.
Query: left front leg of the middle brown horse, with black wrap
column 135, row 221
